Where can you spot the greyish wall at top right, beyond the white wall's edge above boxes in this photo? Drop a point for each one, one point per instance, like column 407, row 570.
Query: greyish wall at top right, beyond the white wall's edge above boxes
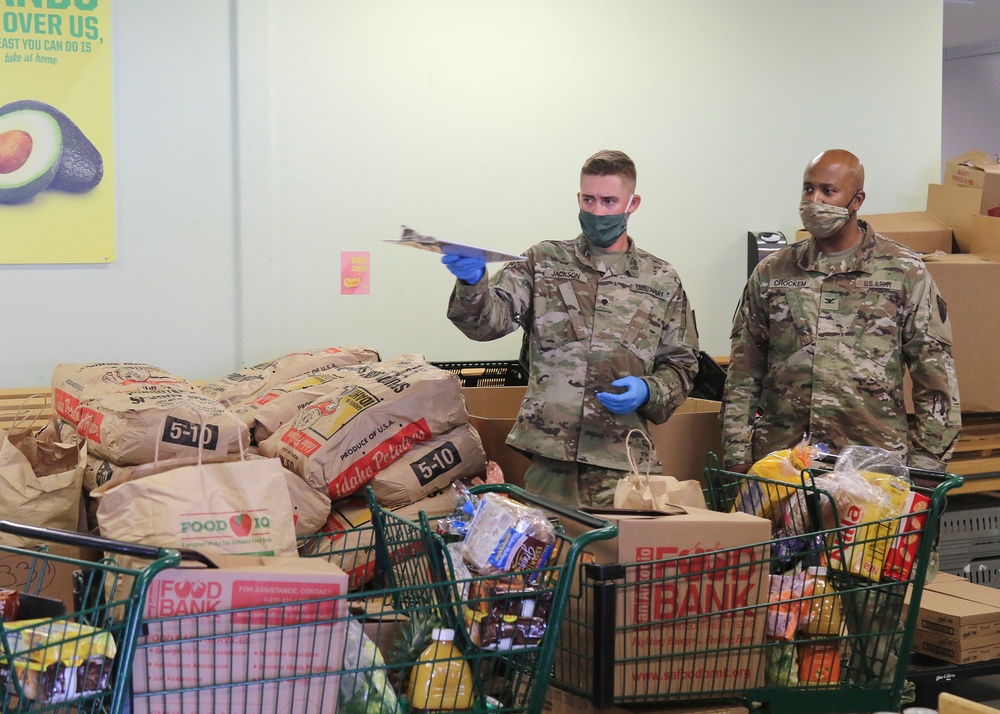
column 971, row 100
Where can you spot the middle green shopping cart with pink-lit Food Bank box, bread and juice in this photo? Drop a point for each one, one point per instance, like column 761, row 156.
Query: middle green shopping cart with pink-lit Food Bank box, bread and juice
column 457, row 612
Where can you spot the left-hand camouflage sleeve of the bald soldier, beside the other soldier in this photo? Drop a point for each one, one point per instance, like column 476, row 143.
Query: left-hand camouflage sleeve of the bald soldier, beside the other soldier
column 744, row 377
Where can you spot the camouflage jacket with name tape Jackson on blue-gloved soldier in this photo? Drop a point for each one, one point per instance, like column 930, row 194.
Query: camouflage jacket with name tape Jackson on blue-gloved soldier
column 587, row 327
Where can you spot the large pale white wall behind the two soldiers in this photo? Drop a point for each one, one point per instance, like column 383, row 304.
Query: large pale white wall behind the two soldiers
column 258, row 139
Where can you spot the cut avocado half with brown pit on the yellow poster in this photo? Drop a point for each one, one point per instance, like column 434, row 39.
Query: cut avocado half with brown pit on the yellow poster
column 30, row 146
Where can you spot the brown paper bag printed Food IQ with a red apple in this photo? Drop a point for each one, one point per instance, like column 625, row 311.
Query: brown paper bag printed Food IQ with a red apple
column 238, row 507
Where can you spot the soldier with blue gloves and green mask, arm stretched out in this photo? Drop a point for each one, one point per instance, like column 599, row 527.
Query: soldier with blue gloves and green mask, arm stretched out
column 601, row 315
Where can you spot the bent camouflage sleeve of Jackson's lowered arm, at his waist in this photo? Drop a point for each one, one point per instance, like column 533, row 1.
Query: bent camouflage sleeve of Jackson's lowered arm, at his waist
column 676, row 363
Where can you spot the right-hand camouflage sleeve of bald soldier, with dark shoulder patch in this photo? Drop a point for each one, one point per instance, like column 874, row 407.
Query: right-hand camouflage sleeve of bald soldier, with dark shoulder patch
column 927, row 353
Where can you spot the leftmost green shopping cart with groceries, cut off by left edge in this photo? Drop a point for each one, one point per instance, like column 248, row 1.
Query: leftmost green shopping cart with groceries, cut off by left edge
column 73, row 656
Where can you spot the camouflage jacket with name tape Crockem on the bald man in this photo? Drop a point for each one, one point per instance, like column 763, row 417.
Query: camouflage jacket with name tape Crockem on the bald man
column 823, row 353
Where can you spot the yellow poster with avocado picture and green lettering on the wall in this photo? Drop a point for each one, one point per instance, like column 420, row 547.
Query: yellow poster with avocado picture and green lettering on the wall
column 57, row 197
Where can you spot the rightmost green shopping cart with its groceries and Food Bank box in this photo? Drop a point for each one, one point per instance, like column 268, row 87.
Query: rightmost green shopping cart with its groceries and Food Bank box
column 799, row 593
